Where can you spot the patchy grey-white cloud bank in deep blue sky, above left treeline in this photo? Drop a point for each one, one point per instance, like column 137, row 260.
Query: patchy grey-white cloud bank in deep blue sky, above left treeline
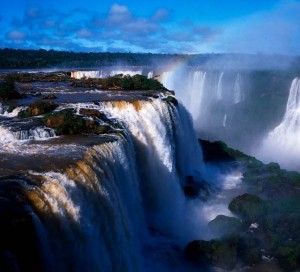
column 118, row 29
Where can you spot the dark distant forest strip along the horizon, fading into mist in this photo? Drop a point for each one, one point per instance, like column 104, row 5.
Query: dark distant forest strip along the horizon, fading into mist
column 18, row 59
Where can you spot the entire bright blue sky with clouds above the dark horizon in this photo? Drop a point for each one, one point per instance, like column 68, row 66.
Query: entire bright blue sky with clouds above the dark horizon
column 170, row 26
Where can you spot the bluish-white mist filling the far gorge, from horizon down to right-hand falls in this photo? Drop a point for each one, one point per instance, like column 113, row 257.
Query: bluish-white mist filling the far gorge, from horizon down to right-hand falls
column 241, row 99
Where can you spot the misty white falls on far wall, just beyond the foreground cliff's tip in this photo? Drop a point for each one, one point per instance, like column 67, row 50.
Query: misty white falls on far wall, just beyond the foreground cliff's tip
column 202, row 92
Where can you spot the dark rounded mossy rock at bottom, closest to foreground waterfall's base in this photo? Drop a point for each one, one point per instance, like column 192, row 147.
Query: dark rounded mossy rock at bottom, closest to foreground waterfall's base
column 222, row 254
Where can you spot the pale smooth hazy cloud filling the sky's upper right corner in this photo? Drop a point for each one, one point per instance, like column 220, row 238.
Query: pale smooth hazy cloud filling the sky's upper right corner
column 275, row 31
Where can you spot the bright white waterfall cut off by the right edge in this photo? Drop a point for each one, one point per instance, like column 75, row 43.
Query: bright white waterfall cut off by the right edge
column 283, row 143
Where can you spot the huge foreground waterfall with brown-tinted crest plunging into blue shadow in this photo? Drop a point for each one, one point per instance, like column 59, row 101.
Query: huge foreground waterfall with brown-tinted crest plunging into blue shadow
column 95, row 215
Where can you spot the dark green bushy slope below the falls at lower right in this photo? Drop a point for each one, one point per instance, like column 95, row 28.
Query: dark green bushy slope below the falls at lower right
column 268, row 216
